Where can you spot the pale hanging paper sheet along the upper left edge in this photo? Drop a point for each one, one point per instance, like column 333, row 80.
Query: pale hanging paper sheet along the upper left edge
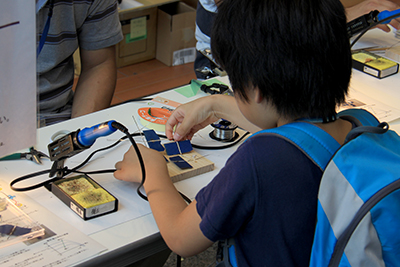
column 17, row 76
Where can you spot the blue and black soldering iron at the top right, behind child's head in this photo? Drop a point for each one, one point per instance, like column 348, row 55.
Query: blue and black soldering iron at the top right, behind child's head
column 368, row 20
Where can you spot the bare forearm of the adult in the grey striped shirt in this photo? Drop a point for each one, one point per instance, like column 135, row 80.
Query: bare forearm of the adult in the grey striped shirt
column 96, row 83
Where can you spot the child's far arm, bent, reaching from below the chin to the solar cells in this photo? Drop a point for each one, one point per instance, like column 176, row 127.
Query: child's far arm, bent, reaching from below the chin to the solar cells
column 193, row 116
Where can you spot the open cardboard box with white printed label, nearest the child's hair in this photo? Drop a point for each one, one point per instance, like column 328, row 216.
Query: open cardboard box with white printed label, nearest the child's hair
column 175, row 34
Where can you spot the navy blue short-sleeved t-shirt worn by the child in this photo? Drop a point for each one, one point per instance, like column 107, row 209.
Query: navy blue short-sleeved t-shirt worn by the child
column 266, row 198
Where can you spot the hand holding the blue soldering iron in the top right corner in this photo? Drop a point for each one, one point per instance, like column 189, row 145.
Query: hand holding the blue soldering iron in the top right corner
column 369, row 5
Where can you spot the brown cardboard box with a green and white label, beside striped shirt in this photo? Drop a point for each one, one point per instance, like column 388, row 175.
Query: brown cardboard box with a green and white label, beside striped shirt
column 139, row 30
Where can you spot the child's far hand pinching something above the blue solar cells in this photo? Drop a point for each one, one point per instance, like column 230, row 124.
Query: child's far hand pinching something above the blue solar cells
column 189, row 118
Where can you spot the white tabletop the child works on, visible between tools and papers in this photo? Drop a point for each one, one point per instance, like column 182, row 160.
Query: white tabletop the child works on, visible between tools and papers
column 119, row 235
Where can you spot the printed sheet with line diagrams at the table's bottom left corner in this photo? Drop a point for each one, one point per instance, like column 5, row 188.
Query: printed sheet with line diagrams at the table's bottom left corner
column 62, row 244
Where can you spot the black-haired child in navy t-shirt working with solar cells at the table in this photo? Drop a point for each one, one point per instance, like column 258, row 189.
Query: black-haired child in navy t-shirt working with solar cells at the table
column 286, row 60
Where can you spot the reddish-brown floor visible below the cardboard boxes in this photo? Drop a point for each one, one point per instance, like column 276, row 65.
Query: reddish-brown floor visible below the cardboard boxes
column 149, row 77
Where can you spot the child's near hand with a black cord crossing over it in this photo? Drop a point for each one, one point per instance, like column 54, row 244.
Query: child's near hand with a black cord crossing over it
column 129, row 168
